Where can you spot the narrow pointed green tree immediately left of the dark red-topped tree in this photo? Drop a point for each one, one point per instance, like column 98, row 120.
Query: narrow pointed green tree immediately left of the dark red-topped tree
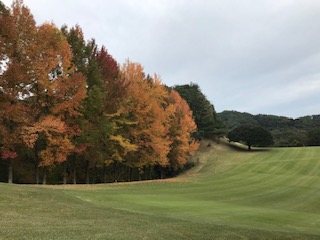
column 96, row 125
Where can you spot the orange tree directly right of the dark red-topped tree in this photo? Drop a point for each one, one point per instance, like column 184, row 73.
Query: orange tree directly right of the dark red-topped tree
column 146, row 105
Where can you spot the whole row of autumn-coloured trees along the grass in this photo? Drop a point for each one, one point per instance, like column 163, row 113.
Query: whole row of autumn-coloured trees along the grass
column 68, row 108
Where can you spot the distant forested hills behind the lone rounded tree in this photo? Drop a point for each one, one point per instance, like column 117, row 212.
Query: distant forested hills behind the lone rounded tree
column 286, row 132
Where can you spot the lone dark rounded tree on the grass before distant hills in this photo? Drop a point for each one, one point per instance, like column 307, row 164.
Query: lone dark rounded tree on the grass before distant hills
column 251, row 136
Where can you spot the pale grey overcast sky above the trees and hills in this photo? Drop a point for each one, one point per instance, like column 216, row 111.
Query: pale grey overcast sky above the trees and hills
column 256, row 56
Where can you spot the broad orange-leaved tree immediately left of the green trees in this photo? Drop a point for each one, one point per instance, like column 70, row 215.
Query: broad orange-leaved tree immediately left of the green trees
column 57, row 93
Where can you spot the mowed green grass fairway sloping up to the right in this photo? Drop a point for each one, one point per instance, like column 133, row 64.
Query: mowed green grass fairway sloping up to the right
column 232, row 194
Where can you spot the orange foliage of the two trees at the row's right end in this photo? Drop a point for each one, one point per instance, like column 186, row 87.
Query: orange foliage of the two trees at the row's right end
column 164, row 120
